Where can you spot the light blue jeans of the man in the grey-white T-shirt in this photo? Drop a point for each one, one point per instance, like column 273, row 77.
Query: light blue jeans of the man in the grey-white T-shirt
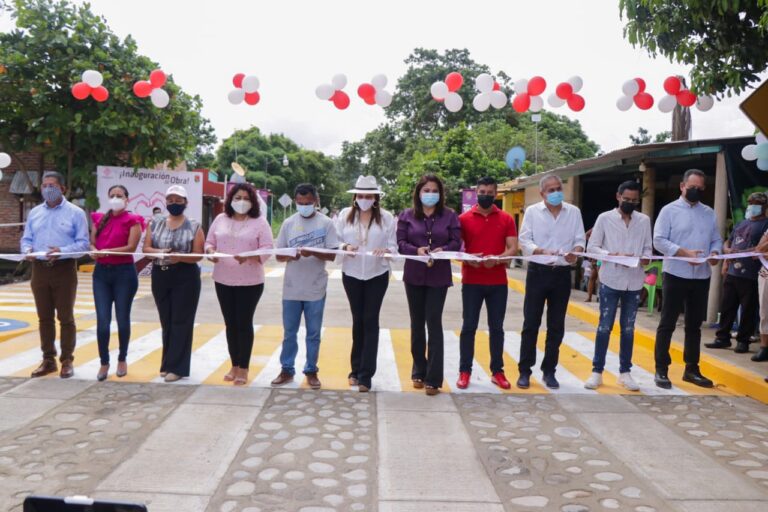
column 313, row 320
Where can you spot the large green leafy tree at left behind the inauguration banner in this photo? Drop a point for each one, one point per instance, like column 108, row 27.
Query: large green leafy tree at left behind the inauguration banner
column 53, row 43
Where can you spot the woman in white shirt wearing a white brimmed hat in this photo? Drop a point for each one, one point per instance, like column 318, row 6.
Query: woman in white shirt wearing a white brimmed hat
column 365, row 228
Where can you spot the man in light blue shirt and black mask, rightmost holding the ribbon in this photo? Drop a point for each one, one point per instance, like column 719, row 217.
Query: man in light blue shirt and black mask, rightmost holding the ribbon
column 685, row 228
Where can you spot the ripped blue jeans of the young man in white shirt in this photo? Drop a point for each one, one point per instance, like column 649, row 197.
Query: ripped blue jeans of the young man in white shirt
column 609, row 302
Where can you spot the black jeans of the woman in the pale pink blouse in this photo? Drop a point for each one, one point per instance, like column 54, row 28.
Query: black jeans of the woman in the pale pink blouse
column 238, row 304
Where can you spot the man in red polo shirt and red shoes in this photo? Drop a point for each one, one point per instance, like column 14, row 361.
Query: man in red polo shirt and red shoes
column 486, row 231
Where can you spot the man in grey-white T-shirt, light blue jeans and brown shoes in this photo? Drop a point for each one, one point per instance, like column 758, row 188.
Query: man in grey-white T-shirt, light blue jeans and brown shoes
column 305, row 282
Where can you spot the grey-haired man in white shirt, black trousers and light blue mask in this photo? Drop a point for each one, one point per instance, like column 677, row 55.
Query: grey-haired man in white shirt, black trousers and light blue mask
column 553, row 229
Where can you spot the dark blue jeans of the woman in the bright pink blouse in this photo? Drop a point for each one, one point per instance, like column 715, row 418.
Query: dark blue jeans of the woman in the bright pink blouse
column 114, row 284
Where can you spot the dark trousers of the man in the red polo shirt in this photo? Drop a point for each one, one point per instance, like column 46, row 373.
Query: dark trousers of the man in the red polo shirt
column 472, row 298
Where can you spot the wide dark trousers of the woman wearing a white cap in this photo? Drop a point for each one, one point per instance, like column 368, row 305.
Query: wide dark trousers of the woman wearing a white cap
column 176, row 291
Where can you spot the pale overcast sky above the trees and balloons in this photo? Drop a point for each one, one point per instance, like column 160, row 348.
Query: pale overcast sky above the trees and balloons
column 295, row 45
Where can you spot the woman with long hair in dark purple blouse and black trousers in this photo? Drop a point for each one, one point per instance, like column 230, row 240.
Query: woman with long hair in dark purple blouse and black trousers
column 428, row 227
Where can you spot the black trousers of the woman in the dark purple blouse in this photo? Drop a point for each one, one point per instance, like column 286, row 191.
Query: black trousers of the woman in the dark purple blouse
column 425, row 305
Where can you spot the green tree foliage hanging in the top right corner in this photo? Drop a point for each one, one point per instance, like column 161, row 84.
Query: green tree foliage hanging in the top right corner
column 724, row 41
